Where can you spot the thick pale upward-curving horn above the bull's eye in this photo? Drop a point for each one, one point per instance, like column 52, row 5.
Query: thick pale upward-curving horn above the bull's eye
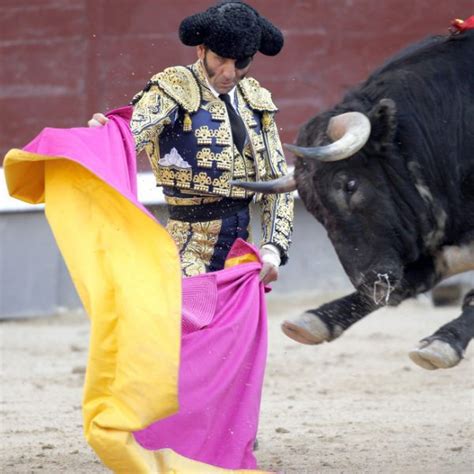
column 349, row 132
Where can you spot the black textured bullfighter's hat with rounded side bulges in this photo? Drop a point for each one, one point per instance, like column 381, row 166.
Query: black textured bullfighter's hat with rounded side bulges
column 232, row 29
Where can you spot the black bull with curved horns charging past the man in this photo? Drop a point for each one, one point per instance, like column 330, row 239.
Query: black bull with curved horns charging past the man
column 392, row 181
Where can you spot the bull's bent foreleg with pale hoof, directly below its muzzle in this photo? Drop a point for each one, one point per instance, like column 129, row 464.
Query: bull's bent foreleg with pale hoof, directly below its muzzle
column 330, row 320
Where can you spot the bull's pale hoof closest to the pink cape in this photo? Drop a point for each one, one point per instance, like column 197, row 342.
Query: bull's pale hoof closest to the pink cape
column 308, row 329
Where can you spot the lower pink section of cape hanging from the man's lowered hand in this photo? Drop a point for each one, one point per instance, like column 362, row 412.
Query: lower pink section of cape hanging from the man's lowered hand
column 222, row 367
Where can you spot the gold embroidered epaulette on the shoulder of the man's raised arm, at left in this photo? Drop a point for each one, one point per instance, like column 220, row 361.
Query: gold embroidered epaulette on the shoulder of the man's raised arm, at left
column 179, row 83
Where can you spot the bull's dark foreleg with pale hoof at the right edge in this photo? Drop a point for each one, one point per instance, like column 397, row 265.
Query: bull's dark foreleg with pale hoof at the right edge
column 445, row 348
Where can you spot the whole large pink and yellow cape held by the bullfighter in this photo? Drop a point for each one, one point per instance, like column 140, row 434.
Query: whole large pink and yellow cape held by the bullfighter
column 175, row 367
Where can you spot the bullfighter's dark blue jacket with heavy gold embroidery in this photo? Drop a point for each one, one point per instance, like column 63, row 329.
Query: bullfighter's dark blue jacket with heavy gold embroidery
column 186, row 133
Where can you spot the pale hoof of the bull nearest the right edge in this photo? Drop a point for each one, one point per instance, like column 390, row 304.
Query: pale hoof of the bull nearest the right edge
column 434, row 354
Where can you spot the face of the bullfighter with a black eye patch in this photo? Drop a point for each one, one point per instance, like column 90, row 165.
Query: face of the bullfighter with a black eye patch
column 223, row 73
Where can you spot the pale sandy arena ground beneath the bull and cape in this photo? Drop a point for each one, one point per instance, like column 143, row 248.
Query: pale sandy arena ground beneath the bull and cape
column 356, row 405
